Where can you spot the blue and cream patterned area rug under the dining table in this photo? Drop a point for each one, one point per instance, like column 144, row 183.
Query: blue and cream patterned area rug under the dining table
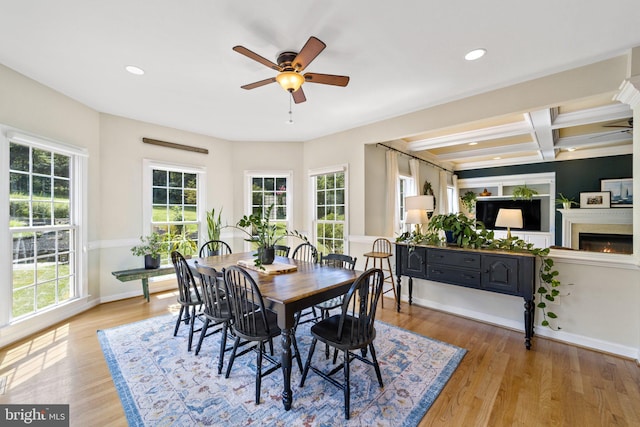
column 160, row 383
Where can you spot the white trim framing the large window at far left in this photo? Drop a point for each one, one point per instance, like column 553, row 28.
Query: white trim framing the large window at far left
column 79, row 190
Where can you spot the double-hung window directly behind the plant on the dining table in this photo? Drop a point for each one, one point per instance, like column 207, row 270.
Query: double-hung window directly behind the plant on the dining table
column 266, row 189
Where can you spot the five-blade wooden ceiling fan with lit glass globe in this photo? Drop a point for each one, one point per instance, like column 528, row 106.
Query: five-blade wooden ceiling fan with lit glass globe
column 289, row 67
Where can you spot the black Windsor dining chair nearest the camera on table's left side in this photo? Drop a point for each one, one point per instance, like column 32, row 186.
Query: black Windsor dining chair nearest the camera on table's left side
column 252, row 322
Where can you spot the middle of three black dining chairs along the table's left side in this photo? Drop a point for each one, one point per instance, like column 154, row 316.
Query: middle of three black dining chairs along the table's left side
column 216, row 310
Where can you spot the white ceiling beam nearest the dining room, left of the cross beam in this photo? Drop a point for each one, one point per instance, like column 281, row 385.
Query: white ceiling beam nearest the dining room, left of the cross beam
column 485, row 134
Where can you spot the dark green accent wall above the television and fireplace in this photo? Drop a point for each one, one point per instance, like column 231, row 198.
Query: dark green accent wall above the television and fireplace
column 572, row 176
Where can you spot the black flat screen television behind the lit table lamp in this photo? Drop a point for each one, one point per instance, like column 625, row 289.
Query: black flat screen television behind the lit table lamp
column 487, row 211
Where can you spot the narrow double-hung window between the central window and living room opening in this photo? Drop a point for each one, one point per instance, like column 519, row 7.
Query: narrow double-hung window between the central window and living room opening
column 330, row 209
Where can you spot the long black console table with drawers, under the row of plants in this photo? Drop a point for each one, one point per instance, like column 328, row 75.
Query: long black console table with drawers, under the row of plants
column 492, row 271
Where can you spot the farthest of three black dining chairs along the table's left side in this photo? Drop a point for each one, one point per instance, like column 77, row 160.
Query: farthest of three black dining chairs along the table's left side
column 189, row 296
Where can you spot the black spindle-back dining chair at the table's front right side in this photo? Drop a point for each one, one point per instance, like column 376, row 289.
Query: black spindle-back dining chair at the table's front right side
column 352, row 329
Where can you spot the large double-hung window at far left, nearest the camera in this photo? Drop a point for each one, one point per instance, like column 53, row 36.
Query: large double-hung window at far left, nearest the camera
column 45, row 215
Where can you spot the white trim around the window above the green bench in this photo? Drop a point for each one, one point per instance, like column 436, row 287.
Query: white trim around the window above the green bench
column 147, row 196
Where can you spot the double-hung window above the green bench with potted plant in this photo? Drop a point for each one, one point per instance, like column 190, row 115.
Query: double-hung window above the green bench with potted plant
column 173, row 205
